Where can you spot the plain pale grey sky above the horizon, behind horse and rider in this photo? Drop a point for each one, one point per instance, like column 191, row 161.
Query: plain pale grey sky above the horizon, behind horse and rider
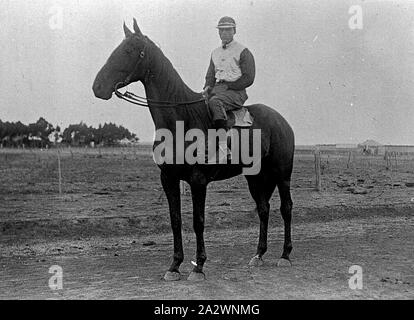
column 334, row 83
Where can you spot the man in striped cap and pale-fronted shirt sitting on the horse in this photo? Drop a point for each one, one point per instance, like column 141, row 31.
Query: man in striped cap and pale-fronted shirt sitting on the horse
column 231, row 71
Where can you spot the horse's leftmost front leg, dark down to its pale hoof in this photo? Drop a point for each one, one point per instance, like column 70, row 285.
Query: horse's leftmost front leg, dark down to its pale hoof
column 171, row 187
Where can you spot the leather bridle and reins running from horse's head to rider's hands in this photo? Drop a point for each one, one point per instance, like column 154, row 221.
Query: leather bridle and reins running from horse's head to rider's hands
column 143, row 101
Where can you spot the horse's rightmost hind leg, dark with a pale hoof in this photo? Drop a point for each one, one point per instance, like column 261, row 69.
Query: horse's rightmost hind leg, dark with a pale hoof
column 286, row 211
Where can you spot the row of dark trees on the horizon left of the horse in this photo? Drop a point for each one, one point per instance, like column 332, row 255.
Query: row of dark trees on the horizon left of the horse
column 43, row 134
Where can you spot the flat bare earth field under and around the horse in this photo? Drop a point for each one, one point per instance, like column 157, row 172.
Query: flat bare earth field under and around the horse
column 109, row 230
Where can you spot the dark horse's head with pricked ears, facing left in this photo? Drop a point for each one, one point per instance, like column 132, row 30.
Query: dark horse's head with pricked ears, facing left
column 128, row 63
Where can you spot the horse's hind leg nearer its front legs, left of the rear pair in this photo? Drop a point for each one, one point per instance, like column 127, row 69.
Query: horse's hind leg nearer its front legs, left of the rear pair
column 260, row 190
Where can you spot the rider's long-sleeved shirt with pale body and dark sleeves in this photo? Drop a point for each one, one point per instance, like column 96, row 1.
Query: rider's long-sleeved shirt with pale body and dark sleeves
column 233, row 65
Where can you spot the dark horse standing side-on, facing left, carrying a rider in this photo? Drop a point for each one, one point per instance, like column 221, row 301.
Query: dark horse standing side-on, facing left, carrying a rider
column 137, row 58
